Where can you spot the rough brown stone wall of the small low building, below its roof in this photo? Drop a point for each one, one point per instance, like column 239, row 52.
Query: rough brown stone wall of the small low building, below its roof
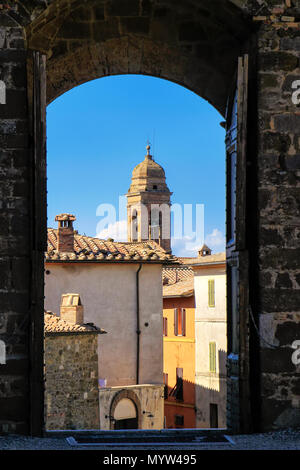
column 71, row 387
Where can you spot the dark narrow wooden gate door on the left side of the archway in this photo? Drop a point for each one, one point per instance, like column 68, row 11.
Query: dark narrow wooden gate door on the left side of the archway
column 38, row 217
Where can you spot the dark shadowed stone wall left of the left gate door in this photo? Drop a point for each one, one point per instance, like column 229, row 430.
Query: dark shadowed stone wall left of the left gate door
column 15, row 245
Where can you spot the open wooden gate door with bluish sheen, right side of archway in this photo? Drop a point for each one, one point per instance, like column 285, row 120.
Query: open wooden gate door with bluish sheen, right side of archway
column 238, row 403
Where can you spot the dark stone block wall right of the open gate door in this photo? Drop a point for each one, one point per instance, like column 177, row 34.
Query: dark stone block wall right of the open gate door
column 279, row 221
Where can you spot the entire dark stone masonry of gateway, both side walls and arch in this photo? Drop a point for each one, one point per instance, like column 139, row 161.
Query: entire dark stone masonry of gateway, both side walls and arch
column 196, row 44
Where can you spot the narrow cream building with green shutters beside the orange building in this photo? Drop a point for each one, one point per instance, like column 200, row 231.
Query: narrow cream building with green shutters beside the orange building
column 211, row 338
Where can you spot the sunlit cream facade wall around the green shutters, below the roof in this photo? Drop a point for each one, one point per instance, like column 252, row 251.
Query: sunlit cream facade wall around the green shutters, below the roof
column 210, row 326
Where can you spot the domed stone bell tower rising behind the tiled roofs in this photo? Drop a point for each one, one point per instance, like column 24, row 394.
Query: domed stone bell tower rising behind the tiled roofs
column 149, row 204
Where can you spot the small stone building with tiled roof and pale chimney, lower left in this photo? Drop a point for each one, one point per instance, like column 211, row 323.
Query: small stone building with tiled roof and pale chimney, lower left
column 71, row 368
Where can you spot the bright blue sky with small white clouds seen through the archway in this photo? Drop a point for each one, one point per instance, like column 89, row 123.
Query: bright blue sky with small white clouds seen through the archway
column 97, row 134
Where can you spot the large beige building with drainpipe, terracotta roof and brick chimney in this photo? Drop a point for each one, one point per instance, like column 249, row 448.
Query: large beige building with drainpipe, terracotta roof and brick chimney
column 121, row 288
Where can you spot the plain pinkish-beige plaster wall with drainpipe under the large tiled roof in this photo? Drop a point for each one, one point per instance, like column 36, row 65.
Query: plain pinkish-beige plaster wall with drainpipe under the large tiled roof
column 108, row 293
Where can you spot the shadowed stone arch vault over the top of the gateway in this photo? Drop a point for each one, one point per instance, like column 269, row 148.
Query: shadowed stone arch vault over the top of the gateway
column 193, row 46
